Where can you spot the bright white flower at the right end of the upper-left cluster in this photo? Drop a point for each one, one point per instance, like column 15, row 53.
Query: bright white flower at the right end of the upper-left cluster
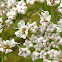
column 21, row 6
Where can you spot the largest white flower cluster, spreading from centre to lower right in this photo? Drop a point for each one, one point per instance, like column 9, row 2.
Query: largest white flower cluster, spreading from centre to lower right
column 46, row 39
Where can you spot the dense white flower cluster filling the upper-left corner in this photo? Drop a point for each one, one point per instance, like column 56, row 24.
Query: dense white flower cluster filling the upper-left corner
column 11, row 8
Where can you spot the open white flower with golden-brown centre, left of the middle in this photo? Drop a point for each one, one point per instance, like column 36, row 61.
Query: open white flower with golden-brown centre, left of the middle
column 23, row 30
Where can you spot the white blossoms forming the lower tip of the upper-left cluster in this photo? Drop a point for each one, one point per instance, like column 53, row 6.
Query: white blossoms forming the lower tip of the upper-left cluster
column 11, row 15
